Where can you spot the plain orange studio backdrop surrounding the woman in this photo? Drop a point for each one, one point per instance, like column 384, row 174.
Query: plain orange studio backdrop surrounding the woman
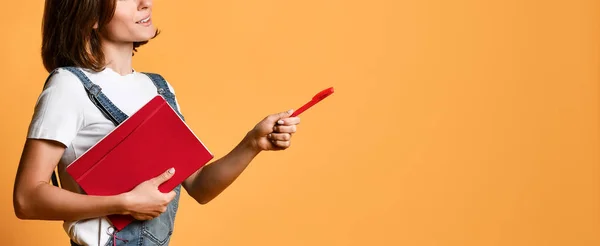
column 453, row 122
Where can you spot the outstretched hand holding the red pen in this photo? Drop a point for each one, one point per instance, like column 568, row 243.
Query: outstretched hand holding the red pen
column 274, row 132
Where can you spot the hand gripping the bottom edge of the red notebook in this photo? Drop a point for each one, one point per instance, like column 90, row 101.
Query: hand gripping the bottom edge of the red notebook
column 145, row 201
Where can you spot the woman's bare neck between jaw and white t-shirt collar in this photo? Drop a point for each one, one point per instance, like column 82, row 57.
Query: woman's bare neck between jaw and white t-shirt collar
column 118, row 56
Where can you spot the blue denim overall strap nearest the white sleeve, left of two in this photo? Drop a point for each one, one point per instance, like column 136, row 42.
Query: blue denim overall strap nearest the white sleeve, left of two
column 94, row 91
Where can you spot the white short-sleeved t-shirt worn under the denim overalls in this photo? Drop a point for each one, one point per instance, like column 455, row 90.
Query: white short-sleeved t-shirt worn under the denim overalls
column 65, row 113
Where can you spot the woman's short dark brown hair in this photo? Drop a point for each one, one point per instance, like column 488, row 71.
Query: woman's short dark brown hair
column 68, row 36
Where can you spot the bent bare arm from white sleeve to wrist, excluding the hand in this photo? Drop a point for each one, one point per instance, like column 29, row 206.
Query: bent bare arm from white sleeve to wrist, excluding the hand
column 35, row 198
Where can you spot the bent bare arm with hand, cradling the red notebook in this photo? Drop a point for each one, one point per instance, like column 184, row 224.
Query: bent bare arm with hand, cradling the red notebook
column 35, row 199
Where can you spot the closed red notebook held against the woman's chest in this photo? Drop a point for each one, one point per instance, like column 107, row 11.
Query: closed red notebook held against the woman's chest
column 148, row 143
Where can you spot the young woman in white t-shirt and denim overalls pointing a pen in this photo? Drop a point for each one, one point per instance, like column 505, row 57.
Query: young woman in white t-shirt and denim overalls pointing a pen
column 89, row 44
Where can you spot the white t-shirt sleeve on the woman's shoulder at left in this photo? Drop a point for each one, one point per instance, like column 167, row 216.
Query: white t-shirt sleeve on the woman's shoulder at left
column 58, row 114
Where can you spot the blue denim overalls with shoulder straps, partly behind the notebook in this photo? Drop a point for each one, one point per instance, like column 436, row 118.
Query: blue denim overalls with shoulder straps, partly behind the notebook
column 151, row 232
